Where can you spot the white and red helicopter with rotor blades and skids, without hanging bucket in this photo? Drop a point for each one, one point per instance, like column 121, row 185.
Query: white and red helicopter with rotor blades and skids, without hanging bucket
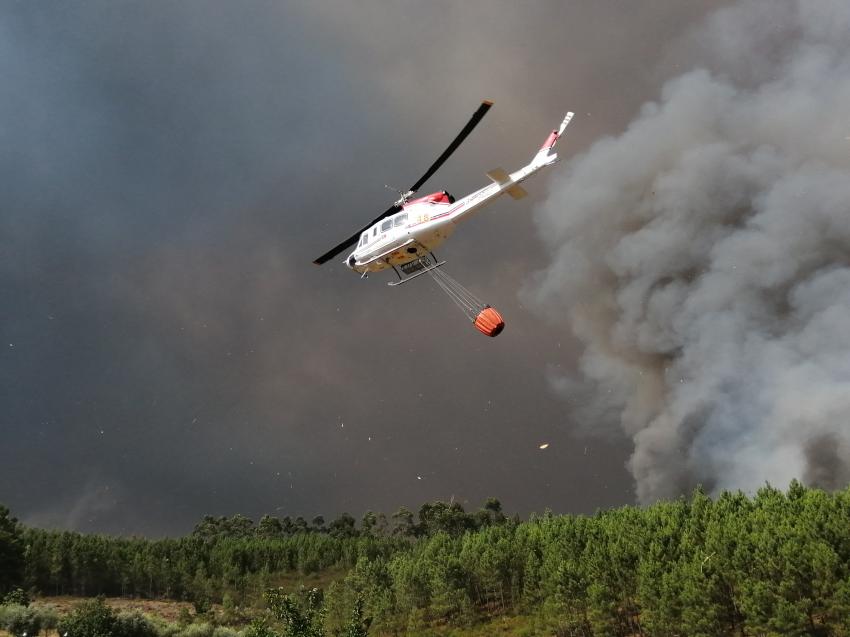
column 404, row 236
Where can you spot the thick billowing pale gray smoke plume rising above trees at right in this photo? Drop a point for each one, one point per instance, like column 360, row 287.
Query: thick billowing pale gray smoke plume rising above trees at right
column 703, row 258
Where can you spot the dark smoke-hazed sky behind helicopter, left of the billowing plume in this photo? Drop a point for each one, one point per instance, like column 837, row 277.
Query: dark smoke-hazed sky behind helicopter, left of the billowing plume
column 170, row 170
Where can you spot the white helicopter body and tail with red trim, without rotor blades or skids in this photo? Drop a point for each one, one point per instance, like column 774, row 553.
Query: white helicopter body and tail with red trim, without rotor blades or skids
column 424, row 224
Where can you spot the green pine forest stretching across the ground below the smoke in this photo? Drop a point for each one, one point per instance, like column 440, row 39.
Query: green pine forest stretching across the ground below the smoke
column 771, row 564
